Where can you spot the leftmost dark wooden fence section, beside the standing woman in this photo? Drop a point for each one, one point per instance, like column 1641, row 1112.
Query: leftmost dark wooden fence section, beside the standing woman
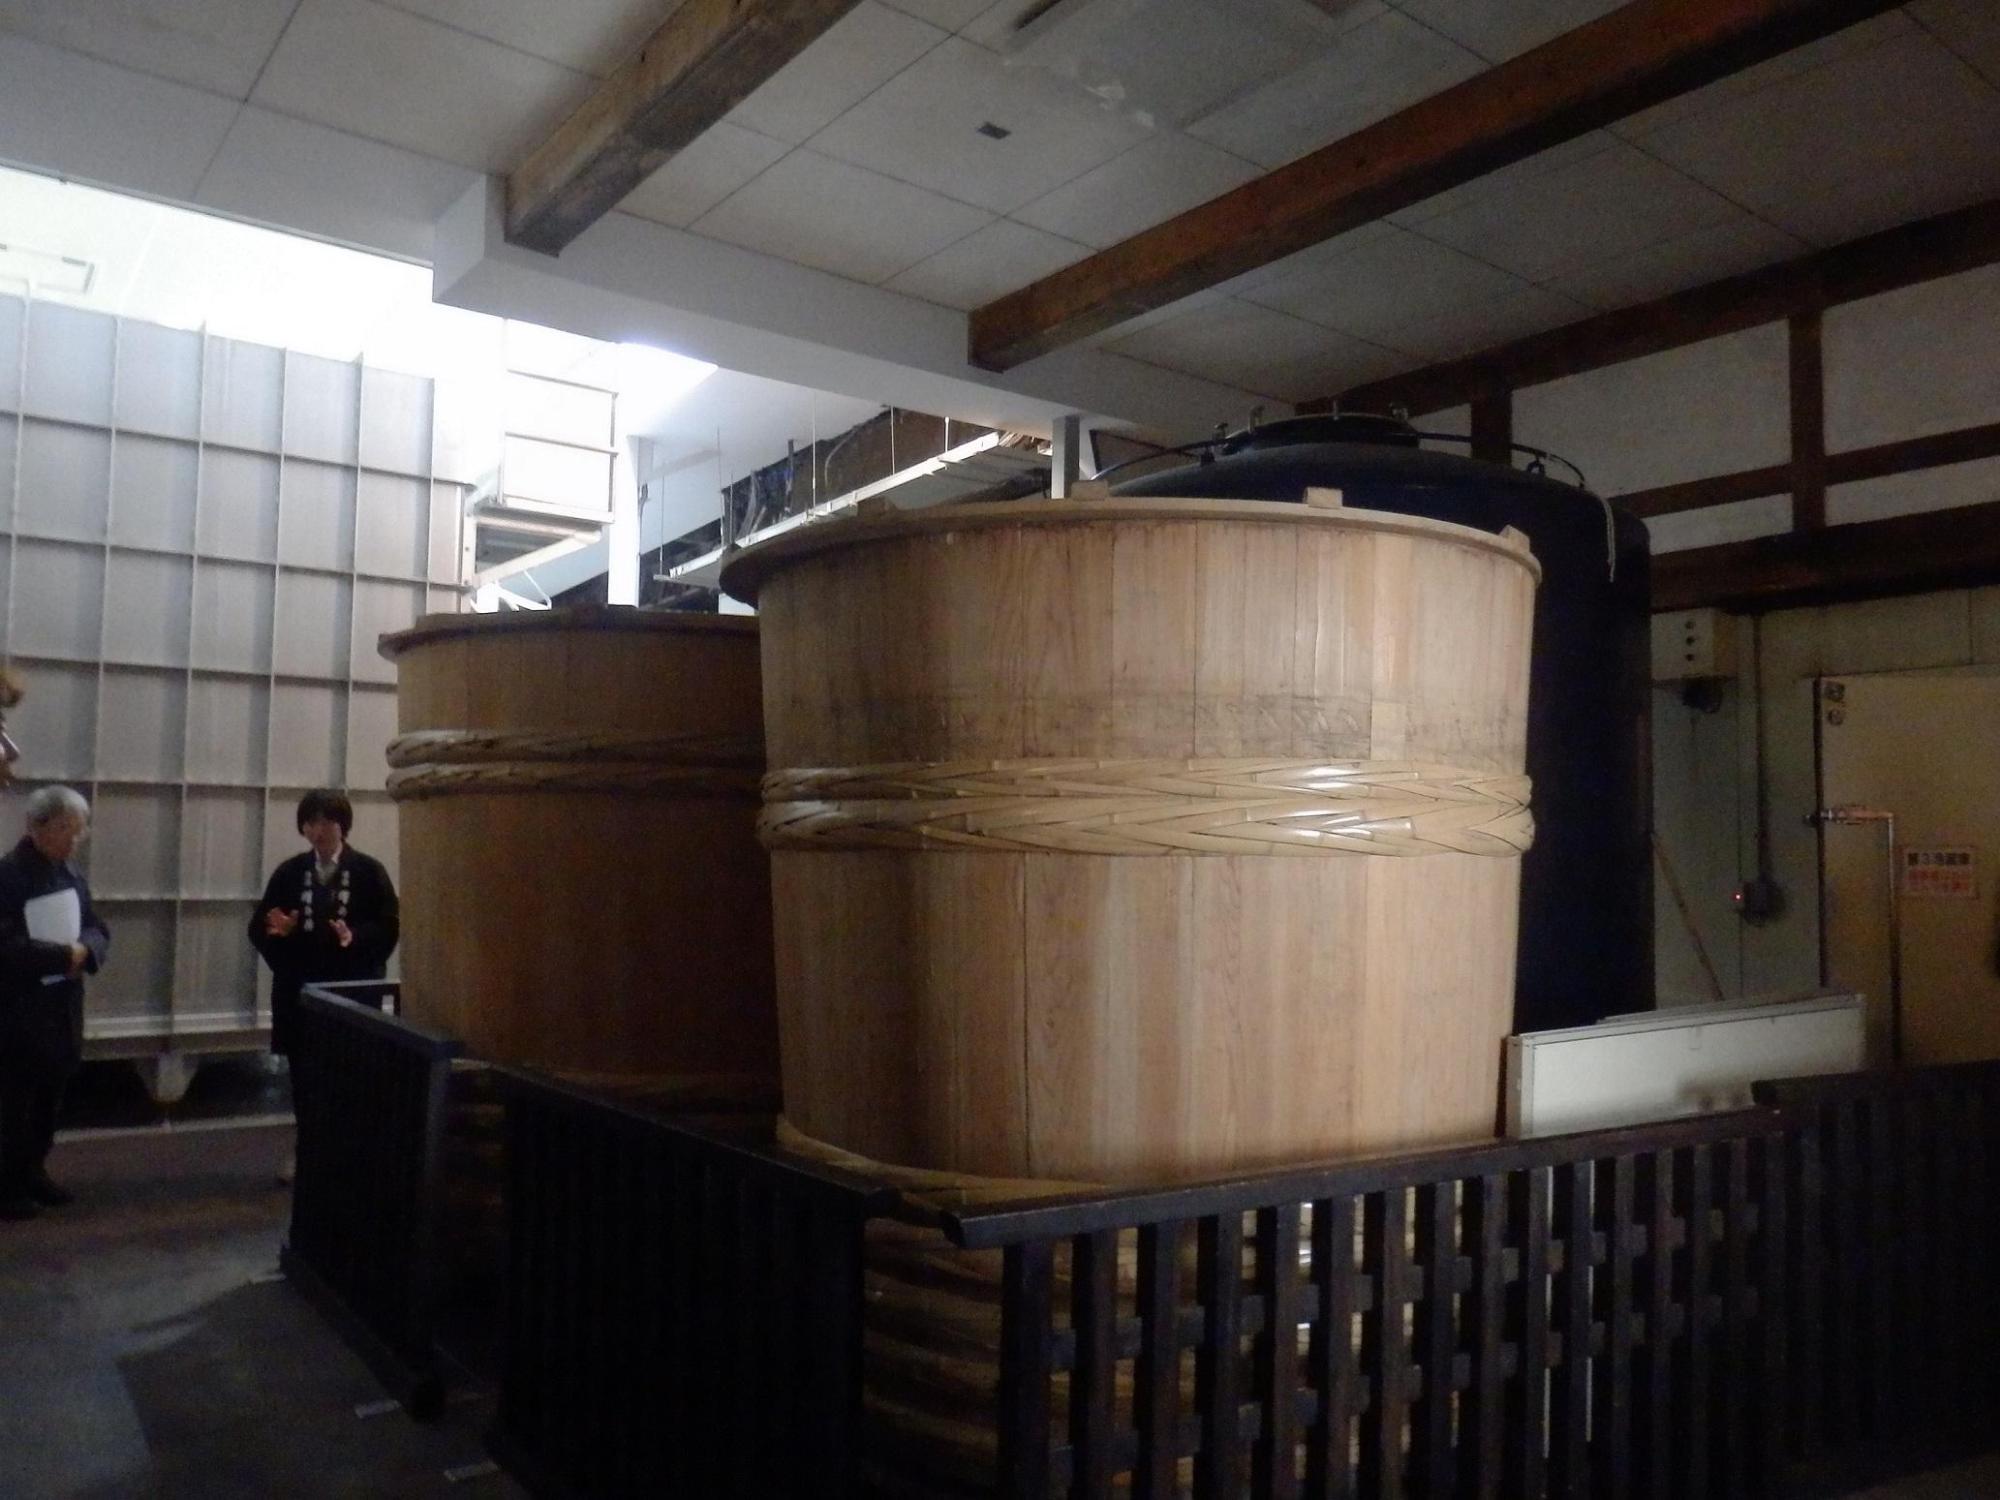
column 369, row 1093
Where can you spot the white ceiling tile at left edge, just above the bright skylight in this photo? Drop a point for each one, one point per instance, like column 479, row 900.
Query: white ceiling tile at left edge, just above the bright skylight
column 97, row 123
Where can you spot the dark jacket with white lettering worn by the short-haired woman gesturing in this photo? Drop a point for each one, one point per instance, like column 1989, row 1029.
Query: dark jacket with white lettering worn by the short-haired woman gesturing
column 361, row 895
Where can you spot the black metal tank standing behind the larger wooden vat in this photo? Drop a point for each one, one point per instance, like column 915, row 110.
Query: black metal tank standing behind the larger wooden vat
column 1587, row 885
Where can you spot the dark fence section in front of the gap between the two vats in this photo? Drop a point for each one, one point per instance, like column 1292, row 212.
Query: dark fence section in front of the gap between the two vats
column 683, row 1311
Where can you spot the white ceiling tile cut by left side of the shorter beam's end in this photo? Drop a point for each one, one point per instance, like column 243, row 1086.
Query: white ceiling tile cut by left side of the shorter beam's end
column 379, row 73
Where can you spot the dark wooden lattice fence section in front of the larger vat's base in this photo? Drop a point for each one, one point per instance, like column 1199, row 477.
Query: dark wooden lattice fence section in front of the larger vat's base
column 1571, row 1317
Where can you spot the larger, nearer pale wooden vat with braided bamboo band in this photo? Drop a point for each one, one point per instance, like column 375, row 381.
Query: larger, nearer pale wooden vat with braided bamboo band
column 1139, row 839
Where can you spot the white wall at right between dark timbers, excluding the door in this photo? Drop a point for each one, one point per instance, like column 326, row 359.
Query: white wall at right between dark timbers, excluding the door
column 1903, row 365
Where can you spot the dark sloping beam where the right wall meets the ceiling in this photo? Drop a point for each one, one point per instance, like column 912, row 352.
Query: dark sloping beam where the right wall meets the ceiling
column 1879, row 263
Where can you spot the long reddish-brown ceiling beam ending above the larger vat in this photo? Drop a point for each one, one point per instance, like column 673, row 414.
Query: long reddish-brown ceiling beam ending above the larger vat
column 1623, row 63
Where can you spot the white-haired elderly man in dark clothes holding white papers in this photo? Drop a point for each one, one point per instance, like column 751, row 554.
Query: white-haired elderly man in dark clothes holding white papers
column 49, row 941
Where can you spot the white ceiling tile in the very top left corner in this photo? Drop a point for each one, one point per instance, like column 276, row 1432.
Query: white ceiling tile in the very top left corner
column 215, row 45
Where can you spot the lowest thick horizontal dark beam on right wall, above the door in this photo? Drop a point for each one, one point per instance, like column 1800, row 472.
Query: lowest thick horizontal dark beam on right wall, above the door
column 1907, row 555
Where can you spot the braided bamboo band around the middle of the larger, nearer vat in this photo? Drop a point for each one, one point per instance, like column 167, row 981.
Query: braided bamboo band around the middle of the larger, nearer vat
column 1151, row 807
